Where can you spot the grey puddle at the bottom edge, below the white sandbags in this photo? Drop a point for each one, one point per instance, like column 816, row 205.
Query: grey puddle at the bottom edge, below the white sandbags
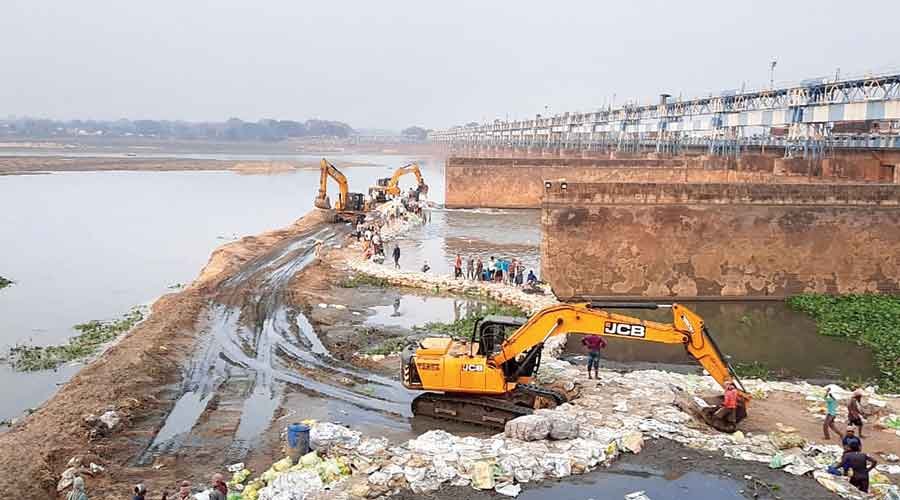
column 615, row 484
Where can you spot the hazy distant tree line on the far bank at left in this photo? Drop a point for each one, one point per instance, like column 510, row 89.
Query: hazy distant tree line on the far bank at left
column 234, row 129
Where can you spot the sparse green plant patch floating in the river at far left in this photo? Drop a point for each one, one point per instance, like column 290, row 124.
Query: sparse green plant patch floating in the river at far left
column 92, row 335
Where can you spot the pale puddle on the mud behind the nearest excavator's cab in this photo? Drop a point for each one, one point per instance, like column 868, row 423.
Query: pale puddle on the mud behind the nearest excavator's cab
column 411, row 310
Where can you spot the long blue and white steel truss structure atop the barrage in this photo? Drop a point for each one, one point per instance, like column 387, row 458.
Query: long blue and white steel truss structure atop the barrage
column 807, row 119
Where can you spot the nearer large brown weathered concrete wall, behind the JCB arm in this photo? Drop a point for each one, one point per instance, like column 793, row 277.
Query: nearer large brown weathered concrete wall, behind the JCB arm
column 720, row 240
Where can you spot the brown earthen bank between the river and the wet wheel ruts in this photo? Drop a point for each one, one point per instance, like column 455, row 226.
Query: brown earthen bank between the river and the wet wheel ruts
column 132, row 377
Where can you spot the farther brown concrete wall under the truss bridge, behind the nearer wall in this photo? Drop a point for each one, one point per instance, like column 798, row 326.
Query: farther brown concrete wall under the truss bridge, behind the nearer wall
column 474, row 182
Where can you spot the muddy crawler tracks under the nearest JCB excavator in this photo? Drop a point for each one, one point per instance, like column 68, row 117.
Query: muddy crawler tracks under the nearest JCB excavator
column 486, row 410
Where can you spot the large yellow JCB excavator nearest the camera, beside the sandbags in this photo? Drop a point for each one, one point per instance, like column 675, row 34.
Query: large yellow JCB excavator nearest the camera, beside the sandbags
column 486, row 379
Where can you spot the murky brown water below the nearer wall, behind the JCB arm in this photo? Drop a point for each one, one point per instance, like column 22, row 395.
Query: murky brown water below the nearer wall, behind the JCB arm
column 771, row 333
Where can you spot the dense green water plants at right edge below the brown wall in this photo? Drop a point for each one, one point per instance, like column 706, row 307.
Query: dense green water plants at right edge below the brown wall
column 872, row 321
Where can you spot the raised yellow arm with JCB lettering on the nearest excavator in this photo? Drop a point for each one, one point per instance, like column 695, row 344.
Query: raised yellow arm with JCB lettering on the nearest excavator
column 687, row 328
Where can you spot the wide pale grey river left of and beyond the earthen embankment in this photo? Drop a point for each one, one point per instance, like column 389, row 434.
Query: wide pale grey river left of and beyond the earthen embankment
column 90, row 245
